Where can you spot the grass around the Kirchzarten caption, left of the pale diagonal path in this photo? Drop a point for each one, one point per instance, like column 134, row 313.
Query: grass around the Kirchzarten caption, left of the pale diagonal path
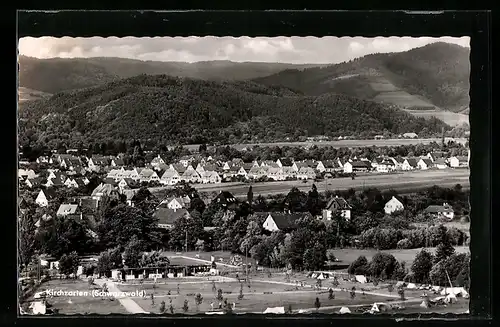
column 79, row 304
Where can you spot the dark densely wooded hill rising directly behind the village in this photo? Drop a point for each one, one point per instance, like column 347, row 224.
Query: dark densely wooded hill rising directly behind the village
column 166, row 110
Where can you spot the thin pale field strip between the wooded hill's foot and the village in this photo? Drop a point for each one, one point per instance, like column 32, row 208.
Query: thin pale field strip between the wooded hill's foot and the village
column 340, row 143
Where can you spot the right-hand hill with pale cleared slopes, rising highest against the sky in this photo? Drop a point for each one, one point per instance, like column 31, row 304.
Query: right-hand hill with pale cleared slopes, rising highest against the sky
column 433, row 77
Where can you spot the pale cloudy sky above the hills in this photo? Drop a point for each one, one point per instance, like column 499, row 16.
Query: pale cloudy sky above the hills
column 297, row 50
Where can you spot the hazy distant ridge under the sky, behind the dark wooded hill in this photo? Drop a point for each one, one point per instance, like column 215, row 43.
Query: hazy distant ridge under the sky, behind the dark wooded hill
column 55, row 75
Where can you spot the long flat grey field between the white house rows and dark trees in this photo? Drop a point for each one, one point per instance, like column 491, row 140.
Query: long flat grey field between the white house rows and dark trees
column 404, row 182
